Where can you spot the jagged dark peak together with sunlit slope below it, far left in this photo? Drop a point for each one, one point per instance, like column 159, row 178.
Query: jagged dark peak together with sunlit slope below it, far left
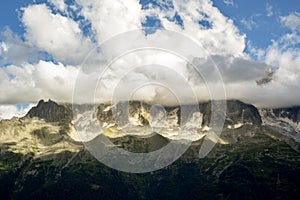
column 45, row 130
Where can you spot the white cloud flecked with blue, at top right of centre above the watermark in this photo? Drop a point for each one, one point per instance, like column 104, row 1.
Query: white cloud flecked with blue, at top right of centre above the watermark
column 222, row 37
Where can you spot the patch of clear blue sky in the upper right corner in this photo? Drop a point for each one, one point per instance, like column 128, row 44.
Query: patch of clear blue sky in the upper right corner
column 264, row 28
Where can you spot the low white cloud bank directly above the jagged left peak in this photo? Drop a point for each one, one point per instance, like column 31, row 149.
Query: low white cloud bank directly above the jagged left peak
column 29, row 83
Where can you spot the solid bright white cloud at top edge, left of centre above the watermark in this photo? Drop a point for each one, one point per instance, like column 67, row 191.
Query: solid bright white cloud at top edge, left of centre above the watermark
column 112, row 18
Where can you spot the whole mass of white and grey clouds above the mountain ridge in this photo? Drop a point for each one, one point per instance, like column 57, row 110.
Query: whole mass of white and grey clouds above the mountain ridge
column 63, row 37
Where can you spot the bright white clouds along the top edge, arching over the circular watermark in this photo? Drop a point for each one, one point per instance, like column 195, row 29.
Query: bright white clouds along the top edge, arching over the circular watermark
column 110, row 19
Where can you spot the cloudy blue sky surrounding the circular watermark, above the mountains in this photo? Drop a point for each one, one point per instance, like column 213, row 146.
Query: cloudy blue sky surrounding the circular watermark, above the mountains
column 43, row 43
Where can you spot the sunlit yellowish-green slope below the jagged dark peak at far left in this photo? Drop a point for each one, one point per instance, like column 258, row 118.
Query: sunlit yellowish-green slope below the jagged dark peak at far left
column 36, row 136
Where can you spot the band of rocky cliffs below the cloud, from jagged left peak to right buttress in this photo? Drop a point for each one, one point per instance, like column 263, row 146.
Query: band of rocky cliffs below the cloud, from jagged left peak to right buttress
column 136, row 118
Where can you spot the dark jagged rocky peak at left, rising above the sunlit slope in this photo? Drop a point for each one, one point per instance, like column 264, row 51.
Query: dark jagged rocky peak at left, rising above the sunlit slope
column 51, row 112
